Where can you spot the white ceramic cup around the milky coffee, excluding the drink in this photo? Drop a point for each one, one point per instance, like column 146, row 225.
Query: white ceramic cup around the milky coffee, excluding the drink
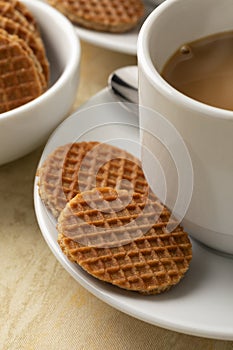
column 207, row 131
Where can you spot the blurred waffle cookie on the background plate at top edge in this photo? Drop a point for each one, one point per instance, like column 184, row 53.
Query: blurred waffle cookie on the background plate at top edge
column 103, row 15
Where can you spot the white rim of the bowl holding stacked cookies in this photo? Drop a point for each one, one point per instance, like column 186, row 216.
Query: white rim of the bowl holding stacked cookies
column 68, row 69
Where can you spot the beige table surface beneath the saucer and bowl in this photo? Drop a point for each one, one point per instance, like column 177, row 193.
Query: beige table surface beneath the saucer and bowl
column 42, row 306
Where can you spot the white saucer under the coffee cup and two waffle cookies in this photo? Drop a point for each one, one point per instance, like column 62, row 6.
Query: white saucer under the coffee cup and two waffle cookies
column 202, row 303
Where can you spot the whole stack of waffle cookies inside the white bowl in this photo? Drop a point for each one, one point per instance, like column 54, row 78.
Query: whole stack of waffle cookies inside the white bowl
column 24, row 67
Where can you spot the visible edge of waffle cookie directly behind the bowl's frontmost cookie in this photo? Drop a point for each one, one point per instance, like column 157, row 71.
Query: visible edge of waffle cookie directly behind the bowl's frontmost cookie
column 34, row 42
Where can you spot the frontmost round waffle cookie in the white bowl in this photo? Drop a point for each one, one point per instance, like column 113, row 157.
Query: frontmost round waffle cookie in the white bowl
column 20, row 80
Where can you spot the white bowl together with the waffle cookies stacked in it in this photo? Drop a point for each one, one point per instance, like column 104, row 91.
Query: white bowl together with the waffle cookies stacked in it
column 38, row 78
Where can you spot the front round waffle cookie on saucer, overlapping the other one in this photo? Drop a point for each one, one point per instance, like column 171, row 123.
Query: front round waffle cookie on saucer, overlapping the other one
column 122, row 243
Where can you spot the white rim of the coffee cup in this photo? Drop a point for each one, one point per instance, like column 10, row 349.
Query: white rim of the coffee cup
column 155, row 78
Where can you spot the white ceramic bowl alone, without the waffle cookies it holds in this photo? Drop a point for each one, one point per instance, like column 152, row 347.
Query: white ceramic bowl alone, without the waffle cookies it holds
column 24, row 128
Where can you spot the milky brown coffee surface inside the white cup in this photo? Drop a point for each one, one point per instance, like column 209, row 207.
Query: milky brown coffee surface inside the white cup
column 203, row 70
